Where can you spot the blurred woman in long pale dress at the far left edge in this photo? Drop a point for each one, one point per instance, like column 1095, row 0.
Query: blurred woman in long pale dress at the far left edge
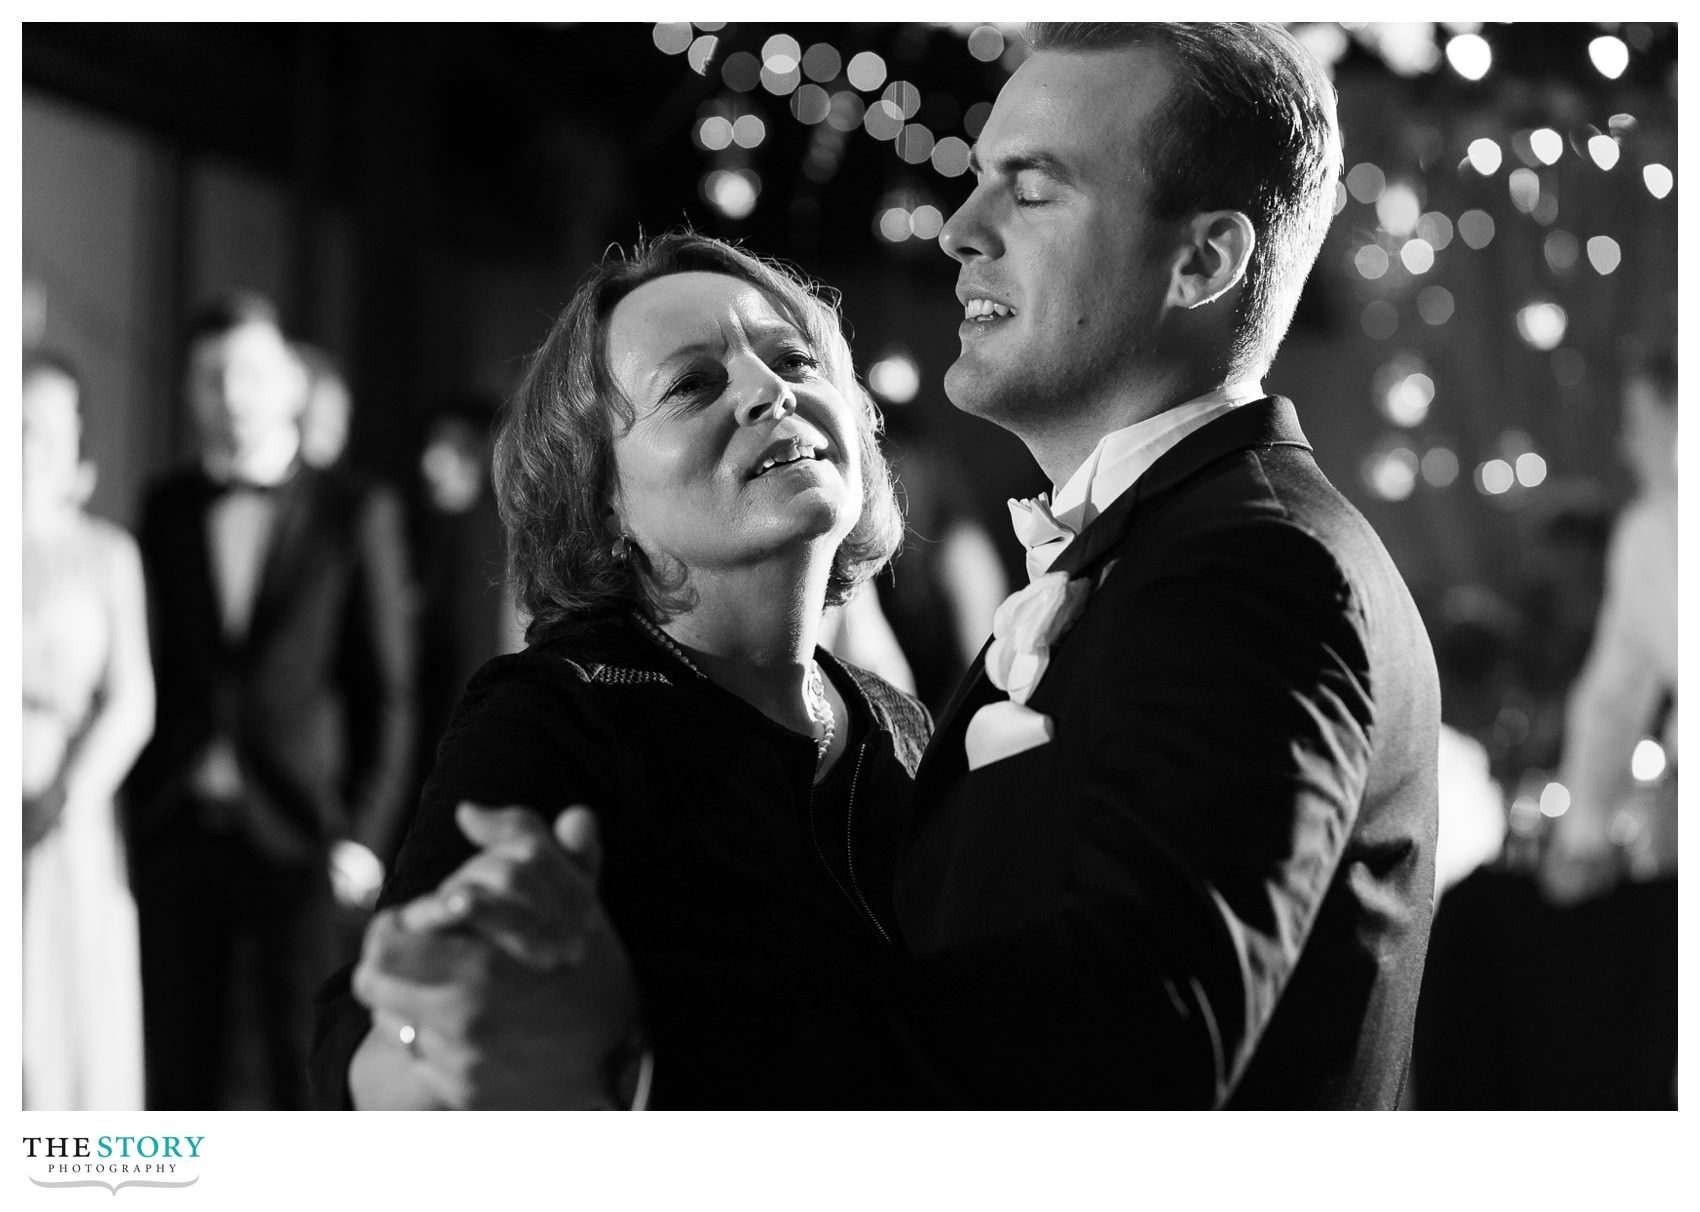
column 88, row 713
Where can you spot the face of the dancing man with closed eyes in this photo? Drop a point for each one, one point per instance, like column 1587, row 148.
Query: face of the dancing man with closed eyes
column 1063, row 271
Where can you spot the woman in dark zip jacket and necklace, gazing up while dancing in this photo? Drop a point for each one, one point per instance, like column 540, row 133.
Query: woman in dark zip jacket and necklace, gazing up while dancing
column 689, row 479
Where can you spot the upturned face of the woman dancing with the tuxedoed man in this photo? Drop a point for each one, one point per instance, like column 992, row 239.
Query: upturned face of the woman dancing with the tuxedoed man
column 740, row 448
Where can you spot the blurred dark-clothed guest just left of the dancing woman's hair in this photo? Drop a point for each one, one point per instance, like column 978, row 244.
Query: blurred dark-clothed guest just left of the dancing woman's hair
column 467, row 613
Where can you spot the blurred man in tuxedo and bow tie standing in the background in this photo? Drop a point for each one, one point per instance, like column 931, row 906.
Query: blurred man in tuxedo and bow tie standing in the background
column 280, row 608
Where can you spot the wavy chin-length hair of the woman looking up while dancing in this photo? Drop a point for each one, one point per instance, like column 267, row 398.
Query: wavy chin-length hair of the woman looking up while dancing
column 555, row 468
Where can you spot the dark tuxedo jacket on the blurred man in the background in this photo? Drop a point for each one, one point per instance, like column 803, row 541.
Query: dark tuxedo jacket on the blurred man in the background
column 319, row 698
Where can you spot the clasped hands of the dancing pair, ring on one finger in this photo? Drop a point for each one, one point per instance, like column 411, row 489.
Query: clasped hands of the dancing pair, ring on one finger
column 511, row 978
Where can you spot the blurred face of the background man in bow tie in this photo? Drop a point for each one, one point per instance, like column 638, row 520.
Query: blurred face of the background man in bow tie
column 244, row 387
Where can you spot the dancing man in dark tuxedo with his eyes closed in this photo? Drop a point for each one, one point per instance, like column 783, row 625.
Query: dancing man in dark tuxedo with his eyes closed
column 1174, row 837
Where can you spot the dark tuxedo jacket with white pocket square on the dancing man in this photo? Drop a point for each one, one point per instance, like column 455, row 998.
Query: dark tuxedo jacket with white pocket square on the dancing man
column 1213, row 886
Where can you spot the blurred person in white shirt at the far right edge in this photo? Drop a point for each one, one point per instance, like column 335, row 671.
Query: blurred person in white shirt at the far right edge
column 1628, row 689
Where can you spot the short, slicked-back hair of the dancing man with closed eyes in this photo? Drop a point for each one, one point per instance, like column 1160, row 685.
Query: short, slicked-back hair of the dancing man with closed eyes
column 1250, row 127
